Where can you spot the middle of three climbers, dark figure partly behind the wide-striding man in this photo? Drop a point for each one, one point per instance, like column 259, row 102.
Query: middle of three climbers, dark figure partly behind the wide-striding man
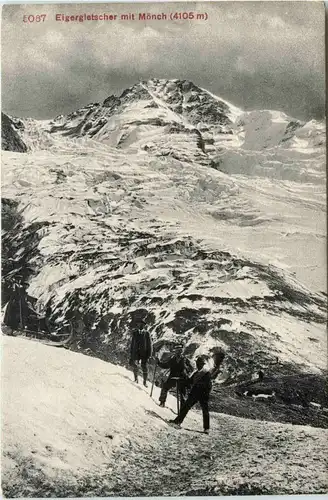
column 179, row 367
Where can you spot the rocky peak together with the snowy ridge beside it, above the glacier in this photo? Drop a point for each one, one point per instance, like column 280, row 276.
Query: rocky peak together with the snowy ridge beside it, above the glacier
column 179, row 119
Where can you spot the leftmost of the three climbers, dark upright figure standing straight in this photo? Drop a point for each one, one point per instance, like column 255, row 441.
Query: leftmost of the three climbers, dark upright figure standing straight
column 141, row 350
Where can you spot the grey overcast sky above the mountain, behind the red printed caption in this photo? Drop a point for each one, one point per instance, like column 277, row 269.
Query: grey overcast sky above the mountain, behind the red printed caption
column 256, row 55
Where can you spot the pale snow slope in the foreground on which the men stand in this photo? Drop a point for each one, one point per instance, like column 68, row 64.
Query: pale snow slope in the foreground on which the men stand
column 75, row 426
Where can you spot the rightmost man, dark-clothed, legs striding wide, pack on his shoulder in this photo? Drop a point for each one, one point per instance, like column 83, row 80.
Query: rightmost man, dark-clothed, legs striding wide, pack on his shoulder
column 201, row 385
